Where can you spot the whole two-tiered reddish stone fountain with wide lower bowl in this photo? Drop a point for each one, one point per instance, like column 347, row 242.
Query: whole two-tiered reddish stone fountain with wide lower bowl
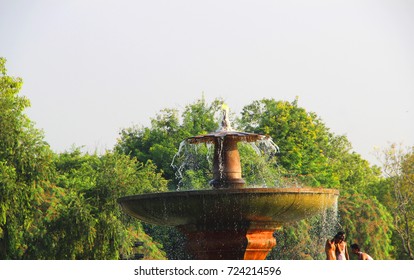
column 229, row 221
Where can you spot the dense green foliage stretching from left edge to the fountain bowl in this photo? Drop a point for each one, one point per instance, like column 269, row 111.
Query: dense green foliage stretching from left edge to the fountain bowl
column 64, row 206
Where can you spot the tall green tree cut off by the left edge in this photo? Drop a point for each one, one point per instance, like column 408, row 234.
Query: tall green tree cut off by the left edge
column 25, row 169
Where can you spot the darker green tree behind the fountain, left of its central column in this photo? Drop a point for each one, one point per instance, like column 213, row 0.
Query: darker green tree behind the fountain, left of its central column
column 161, row 141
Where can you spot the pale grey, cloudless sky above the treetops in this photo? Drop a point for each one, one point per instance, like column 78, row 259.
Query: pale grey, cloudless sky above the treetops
column 91, row 68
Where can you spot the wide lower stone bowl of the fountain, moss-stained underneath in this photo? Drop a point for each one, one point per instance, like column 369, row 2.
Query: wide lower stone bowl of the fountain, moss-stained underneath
column 276, row 205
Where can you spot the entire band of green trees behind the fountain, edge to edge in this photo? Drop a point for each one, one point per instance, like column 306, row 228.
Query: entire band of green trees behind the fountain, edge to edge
column 64, row 206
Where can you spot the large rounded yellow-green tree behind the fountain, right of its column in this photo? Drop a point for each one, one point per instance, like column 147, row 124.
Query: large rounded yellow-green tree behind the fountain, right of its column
column 309, row 153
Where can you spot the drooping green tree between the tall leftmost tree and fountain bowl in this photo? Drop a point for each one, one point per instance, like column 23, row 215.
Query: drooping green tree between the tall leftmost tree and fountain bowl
column 83, row 219
